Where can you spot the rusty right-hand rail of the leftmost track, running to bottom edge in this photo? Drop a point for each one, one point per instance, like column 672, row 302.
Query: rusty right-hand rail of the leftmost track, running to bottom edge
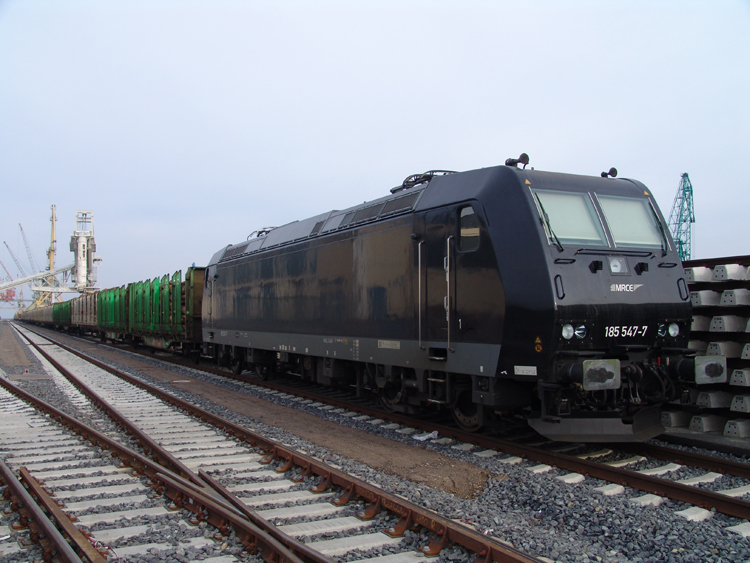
column 152, row 469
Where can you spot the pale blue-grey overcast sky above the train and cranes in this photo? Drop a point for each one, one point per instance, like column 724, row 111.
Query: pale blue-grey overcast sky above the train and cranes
column 186, row 125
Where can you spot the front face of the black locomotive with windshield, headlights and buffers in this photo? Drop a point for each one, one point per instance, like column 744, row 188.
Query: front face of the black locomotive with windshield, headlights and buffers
column 622, row 310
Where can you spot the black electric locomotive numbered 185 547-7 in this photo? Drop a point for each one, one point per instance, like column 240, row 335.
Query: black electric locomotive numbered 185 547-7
column 492, row 292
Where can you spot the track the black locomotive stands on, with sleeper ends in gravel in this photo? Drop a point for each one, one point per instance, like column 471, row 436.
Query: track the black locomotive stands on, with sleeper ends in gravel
column 655, row 470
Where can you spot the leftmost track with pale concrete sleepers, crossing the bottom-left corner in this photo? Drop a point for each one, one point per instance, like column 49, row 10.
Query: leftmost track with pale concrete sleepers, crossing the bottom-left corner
column 31, row 436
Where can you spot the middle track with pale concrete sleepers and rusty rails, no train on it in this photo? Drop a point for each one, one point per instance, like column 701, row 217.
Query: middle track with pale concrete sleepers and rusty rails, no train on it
column 266, row 482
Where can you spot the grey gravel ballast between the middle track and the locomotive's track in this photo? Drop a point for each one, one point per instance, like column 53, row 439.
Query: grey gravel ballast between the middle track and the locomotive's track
column 533, row 512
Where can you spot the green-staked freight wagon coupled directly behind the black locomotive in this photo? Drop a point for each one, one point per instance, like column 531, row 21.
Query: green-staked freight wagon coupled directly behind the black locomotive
column 165, row 312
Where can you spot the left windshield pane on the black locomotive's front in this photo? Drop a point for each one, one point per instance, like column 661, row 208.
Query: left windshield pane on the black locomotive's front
column 572, row 217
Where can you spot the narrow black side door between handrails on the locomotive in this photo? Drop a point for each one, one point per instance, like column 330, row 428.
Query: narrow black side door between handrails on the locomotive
column 439, row 275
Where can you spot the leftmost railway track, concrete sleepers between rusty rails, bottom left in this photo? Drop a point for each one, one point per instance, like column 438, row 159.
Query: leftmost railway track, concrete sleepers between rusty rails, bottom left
column 111, row 492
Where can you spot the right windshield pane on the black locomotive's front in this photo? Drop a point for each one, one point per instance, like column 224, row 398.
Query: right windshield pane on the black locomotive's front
column 631, row 222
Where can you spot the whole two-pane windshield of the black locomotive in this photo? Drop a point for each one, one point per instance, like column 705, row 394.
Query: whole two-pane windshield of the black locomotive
column 574, row 218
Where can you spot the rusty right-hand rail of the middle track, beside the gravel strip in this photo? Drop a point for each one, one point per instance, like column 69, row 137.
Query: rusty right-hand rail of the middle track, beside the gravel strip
column 444, row 530
